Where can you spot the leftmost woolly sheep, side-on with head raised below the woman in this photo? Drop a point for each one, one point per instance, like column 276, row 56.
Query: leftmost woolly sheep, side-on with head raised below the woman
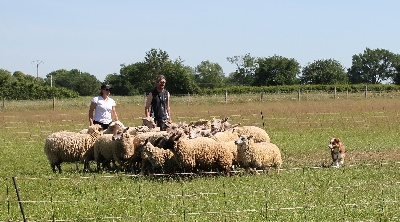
column 69, row 146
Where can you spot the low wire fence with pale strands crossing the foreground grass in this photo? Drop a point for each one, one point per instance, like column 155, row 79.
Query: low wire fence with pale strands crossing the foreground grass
column 393, row 185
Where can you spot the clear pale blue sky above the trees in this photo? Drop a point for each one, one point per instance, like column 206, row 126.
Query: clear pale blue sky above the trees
column 97, row 36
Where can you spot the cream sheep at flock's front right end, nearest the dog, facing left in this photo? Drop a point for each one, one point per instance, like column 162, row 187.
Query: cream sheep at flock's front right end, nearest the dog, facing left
column 261, row 155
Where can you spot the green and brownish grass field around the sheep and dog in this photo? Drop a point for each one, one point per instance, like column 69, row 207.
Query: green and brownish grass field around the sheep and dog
column 367, row 188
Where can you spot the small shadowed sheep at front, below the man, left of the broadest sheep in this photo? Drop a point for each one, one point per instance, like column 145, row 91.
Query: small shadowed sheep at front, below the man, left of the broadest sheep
column 161, row 160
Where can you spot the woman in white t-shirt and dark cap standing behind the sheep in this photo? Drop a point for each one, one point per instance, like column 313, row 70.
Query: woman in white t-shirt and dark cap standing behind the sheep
column 103, row 107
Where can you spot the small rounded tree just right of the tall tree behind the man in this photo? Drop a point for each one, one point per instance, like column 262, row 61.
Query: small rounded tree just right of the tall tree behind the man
column 209, row 75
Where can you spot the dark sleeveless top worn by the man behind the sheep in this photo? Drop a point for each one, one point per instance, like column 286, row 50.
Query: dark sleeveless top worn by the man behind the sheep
column 159, row 104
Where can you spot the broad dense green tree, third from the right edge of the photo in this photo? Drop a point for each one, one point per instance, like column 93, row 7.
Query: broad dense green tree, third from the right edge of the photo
column 276, row 70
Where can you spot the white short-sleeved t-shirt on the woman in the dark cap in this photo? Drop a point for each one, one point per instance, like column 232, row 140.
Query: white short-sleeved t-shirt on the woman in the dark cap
column 103, row 109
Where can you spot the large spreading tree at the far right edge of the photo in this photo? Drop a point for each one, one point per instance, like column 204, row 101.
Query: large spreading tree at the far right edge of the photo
column 373, row 66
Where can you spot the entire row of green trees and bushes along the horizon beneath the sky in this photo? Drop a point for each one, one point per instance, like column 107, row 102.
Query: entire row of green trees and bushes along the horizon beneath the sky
column 373, row 66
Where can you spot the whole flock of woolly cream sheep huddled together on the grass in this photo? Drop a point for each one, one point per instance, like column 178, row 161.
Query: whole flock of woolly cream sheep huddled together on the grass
column 201, row 146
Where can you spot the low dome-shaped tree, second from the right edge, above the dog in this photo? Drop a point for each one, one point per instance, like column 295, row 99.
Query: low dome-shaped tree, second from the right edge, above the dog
column 328, row 71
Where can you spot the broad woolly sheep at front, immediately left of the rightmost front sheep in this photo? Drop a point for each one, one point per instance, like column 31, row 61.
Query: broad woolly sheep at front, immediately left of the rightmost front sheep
column 202, row 153
